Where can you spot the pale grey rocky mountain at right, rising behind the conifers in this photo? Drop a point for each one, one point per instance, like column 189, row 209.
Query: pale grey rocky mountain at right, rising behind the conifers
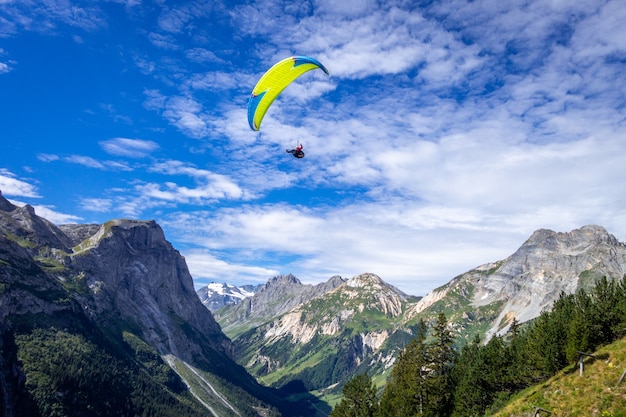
column 486, row 299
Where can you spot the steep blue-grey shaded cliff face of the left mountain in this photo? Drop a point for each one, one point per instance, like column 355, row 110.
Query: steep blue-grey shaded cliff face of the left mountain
column 133, row 271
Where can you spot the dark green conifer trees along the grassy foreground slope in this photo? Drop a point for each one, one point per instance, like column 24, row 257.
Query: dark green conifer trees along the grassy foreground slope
column 432, row 378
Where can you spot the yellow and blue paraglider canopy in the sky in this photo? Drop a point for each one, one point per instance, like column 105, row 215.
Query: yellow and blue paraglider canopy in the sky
column 273, row 82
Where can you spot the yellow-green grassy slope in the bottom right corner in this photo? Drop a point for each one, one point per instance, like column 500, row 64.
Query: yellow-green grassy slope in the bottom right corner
column 569, row 394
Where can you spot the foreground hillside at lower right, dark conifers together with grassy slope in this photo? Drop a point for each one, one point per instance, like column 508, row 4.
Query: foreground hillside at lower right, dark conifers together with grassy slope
column 431, row 378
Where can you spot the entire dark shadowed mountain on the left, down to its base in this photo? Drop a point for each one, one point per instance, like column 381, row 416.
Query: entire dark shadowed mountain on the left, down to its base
column 111, row 308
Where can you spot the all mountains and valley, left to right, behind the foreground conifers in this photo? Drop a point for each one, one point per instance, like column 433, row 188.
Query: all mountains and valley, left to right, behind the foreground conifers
column 103, row 320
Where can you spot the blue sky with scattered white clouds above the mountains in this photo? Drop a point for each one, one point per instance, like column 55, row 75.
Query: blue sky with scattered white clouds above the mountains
column 446, row 133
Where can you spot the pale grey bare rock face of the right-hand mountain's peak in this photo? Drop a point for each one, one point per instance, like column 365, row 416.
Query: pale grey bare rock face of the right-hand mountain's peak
column 548, row 263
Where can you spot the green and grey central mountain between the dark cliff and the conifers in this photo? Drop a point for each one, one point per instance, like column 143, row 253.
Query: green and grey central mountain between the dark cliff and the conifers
column 318, row 339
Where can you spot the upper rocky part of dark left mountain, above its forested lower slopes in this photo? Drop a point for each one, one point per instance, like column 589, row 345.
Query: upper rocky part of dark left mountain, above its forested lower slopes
column 126, row 274
